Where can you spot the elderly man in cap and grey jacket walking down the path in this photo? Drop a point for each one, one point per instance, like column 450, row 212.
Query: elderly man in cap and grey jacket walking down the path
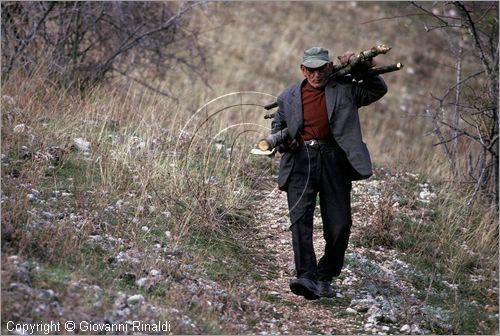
column 325, row 154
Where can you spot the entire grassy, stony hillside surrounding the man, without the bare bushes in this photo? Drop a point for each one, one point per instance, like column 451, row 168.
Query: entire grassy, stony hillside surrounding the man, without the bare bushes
column 123, row 205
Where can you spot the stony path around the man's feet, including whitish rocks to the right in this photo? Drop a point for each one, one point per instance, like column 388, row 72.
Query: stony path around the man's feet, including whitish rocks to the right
column 372, row 293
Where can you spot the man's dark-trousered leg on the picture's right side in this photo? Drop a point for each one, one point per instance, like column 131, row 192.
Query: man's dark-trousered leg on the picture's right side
column 335, row 204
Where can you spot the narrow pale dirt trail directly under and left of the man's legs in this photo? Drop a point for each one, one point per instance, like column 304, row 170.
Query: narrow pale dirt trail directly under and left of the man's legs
column 299, row 315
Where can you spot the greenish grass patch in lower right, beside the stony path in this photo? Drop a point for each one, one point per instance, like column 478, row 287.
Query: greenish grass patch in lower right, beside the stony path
column 435, row 247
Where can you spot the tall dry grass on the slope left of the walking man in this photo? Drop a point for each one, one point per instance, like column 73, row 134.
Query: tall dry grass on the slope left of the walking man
column 142, row 182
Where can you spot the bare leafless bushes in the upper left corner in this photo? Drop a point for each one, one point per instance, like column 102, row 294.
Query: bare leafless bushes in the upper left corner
column 86, row 42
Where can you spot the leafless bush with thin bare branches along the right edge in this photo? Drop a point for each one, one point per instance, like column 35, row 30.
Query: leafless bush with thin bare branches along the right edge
column 465, row 116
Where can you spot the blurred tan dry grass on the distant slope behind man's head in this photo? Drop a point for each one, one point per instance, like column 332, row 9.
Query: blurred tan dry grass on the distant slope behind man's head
column 394, row 132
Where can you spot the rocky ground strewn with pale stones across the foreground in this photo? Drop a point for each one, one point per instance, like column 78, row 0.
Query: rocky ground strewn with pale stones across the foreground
column 157, row 280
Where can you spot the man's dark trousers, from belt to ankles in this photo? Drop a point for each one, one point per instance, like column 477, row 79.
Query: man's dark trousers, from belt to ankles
column 320, row 169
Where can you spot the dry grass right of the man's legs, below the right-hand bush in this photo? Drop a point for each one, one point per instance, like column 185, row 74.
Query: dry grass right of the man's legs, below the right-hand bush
column 454, row 247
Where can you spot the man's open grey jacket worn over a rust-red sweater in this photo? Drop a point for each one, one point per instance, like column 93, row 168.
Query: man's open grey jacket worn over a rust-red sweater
column 343, row 97
